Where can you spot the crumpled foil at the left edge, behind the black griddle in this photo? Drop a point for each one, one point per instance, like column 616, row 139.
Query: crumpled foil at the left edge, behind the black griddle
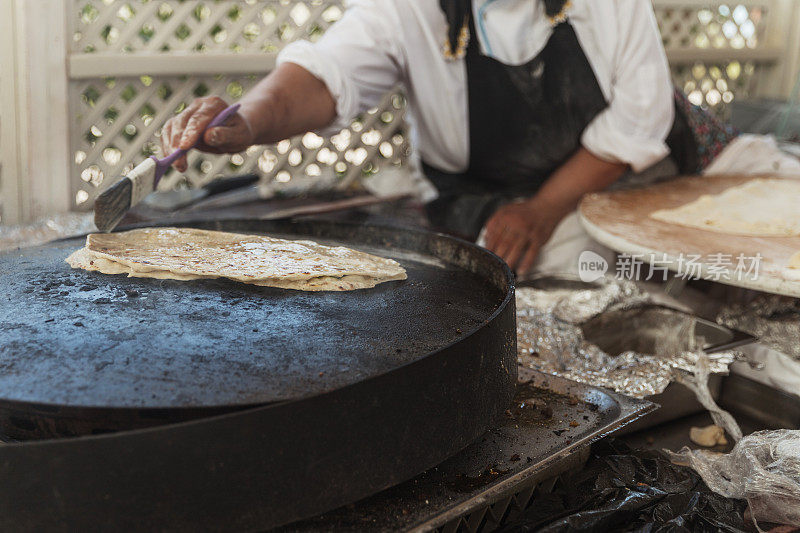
column 46, row 230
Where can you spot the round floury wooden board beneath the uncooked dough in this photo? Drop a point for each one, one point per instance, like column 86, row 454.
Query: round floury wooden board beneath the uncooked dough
column 621, row 220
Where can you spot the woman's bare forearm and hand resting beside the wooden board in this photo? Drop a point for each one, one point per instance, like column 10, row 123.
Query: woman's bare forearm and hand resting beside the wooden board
column 517, row 231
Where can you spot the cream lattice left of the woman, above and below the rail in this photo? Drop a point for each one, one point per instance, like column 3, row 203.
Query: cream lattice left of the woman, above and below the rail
column 118, row 120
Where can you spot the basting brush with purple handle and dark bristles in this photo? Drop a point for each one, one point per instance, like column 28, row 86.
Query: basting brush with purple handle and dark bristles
column 110, row 207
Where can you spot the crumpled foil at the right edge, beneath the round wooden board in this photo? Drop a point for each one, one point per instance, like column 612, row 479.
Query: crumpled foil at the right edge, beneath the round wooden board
column 774, row 320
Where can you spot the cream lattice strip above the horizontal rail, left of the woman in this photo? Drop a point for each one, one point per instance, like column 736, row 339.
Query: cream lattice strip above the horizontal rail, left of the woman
column 169, row 26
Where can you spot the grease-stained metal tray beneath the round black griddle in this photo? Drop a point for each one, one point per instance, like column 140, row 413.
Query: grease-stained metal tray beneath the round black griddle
column 499, row 475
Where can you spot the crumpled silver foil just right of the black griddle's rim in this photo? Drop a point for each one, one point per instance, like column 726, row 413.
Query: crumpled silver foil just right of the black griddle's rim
column 550, row 340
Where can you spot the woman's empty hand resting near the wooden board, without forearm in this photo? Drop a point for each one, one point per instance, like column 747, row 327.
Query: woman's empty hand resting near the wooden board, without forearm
column 517, row 231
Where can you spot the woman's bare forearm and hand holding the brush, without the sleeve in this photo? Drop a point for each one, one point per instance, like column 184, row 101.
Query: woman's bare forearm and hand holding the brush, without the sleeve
column 287, row 102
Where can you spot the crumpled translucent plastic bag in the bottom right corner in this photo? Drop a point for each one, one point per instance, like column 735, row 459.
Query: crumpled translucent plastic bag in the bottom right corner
column 763, row 468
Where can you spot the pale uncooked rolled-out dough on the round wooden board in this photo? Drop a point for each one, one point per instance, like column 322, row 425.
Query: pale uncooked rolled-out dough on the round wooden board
column 761, row 207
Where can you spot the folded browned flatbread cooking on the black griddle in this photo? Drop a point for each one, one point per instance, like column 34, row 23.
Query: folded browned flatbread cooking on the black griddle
column 189, row 254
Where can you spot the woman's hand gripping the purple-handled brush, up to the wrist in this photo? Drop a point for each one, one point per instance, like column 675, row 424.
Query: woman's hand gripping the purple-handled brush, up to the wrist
column 183, row 131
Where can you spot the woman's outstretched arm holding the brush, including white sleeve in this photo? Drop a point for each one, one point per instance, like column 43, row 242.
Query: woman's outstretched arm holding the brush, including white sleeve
column 315, row 85
